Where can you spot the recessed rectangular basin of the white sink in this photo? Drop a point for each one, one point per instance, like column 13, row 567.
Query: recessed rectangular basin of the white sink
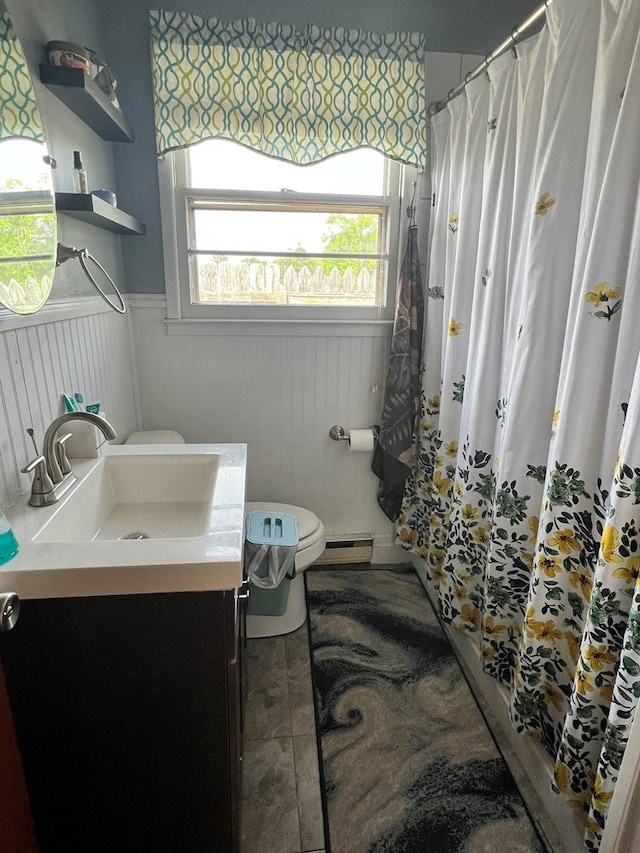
column 164, row 496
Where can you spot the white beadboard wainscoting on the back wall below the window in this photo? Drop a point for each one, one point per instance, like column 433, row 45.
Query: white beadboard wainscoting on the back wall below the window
column 280, row 395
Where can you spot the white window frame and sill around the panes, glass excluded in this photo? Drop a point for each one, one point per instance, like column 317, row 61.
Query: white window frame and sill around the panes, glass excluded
column 174, row 195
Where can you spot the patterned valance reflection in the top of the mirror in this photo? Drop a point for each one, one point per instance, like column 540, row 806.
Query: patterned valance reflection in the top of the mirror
column 19, row 114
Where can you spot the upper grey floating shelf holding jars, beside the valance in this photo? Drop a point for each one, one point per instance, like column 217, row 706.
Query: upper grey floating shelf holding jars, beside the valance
column 86, row 99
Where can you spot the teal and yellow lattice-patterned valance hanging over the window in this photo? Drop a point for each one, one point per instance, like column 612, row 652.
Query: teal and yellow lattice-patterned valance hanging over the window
column 297, row 95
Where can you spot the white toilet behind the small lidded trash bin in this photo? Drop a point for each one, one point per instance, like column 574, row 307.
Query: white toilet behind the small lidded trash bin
column 311, row 544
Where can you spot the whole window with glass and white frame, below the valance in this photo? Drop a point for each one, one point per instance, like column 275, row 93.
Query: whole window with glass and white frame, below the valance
column 250, row 236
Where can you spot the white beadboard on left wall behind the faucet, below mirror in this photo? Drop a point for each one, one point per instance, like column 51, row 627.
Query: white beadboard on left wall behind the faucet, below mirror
column 91, row 354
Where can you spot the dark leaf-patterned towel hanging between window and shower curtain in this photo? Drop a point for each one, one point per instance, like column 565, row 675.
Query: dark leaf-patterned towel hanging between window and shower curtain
column 394, row 450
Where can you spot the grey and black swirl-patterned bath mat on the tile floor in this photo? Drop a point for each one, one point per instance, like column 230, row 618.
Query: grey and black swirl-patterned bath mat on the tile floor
column 408, row 763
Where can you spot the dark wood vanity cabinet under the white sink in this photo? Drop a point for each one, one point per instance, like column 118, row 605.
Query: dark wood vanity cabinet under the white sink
column 128, row 714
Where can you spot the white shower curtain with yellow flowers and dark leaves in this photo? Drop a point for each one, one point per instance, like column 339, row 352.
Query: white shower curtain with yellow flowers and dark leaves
column 525, row 503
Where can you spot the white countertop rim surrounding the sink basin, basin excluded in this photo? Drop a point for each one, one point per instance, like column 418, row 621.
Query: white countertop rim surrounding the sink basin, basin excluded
column 212, row 561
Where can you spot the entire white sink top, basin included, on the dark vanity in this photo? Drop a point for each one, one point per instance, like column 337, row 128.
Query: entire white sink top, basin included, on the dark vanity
column 187, row 499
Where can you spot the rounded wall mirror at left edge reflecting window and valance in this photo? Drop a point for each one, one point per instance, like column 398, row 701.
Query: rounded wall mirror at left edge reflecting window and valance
column 27, row 203
